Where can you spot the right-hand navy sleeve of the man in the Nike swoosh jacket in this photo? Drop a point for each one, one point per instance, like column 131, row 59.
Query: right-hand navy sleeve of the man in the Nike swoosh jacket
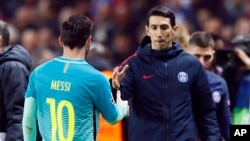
column 204, row 108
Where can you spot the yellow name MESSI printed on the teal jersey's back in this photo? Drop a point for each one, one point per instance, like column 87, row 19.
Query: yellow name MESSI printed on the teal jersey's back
column 58, row 85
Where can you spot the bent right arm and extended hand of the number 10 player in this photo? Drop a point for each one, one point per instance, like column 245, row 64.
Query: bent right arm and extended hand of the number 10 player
column 105, row 103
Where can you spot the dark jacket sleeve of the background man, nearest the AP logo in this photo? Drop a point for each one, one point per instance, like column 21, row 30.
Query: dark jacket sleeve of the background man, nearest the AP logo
column 224, row 114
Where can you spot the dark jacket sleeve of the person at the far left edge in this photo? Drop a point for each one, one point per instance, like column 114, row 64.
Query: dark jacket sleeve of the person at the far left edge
column 14, row 82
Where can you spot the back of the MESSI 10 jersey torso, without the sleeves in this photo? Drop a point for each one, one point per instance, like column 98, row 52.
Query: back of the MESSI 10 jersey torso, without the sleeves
column 65, row 90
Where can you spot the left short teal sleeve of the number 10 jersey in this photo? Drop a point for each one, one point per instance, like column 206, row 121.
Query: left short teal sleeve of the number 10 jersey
column 30, row 92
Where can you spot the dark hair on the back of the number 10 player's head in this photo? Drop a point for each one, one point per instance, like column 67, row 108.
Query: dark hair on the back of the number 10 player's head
column 76, row 30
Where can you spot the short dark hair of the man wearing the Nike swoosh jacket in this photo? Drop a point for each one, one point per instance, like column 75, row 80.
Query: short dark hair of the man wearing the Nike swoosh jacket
column 163, row 12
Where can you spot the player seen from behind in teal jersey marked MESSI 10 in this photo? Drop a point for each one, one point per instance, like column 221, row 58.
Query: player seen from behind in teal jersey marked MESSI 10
column 66, row 94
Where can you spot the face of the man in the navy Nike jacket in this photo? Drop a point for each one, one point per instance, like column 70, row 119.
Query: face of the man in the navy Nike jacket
column 161, row 32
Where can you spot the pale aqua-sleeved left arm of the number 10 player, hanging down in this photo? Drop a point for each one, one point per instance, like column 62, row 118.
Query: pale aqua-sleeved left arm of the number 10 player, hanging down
column 29, row 119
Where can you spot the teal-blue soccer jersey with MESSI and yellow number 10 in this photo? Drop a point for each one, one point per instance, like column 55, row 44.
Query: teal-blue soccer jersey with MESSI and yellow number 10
column 69, row 95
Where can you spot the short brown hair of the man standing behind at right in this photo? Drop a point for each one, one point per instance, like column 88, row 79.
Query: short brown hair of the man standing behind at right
column 202, row 39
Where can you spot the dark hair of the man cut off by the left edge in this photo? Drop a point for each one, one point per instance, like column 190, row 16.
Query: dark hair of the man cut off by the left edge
column 4, row 32
